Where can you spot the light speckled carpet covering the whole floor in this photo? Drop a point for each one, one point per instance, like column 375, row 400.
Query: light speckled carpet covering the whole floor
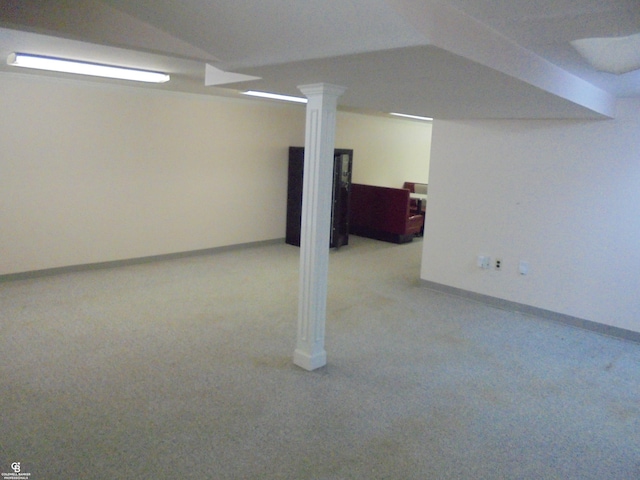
column 182, row 369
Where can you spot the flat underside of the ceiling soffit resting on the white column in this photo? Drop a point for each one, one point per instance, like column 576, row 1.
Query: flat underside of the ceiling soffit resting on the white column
column 433, row 81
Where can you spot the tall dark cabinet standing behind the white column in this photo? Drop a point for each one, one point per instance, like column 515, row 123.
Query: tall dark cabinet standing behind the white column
column 342, row 163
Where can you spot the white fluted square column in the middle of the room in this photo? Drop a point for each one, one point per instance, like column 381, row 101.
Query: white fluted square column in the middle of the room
column 316, row 222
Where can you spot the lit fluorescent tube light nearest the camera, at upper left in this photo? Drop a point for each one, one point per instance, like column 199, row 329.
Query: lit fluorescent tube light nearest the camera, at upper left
column 83, row 68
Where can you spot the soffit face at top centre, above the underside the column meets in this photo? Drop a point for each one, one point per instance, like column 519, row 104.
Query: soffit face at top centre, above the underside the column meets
column 256, row 33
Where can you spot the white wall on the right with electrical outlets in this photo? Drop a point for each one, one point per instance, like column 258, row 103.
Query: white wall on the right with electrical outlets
column 562, row 195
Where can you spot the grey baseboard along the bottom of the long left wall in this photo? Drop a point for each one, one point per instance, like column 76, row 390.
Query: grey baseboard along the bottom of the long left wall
column 132, row 261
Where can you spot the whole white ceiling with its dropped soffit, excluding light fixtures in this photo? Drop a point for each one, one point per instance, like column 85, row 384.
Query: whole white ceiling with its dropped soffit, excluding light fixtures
column 443, row 59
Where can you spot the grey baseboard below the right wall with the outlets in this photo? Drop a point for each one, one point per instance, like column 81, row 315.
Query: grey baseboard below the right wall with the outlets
column 535, row 311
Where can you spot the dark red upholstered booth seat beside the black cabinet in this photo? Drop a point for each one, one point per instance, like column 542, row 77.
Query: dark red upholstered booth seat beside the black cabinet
column 382, row 213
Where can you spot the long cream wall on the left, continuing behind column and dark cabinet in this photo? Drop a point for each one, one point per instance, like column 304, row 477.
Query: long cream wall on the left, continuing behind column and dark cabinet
column 93, row 173
